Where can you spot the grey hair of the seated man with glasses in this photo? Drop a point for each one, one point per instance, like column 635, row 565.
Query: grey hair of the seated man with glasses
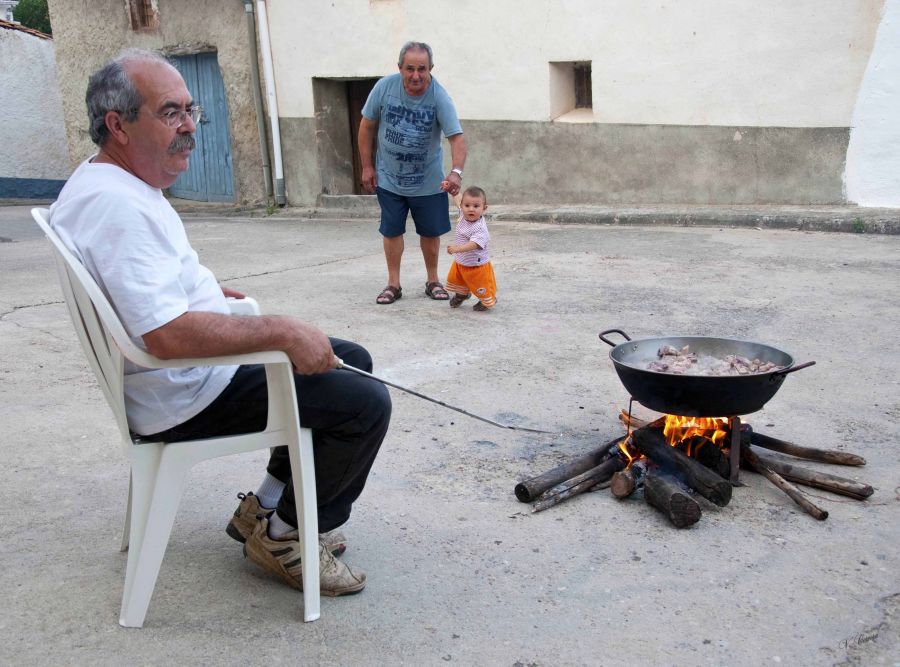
column 111, row 89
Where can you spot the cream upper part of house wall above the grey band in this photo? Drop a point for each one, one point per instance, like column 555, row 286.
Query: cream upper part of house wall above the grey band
column 682, row 62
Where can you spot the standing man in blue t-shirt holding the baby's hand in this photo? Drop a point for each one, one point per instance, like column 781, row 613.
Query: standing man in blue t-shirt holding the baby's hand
column 408, row 112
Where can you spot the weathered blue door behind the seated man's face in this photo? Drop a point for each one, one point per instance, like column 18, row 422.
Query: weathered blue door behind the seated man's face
column 209, row 177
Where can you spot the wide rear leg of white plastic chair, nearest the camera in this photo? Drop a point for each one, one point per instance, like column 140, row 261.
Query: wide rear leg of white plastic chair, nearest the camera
column 160, row 493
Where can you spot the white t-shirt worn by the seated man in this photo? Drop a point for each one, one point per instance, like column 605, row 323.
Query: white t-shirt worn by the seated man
column 133, row 243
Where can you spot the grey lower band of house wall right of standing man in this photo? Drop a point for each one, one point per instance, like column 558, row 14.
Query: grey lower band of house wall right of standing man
column 649, row 164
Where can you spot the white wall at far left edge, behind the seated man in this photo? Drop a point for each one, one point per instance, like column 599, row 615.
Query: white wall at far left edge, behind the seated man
column 32, row 132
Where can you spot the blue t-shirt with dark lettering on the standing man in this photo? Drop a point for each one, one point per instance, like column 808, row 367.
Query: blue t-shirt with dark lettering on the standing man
column 409, row 160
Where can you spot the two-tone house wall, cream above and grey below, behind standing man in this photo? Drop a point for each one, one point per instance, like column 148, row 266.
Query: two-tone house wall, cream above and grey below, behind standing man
column 699, row 101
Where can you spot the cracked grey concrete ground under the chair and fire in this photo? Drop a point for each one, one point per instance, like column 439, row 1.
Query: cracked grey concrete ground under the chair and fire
column 459, row 571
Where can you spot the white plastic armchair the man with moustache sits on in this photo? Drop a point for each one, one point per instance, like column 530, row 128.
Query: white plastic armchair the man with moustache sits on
column 158, row 469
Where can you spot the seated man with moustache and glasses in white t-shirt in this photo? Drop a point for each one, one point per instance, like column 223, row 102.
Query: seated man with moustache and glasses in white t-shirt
column 113, row 216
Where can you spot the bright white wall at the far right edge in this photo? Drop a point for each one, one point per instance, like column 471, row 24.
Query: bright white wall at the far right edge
column 872, row 176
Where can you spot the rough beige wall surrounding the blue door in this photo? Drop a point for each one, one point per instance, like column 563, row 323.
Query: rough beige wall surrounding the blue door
column 89, row 33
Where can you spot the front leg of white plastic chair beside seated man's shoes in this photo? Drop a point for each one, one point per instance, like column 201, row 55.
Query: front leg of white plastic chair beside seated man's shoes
column 304, row 480
